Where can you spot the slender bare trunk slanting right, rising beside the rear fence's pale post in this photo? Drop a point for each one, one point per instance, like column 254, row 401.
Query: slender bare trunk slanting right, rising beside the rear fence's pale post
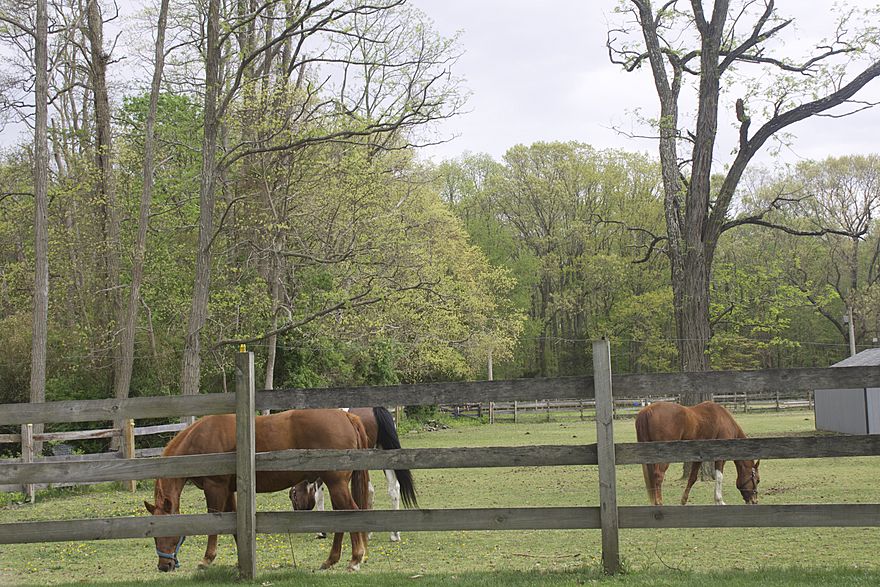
column 122, row 379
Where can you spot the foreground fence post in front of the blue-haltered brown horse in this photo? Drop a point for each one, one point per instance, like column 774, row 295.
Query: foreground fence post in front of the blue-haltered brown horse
column 245, row 529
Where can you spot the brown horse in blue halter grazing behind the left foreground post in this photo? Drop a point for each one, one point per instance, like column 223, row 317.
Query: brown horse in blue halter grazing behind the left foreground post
column 331, row 429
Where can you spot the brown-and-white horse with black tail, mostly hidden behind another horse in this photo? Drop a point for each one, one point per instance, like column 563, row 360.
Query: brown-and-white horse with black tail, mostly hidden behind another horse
column 381, row 433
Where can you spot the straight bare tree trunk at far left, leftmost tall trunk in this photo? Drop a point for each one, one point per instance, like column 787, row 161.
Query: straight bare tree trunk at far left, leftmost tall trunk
column 41, row 221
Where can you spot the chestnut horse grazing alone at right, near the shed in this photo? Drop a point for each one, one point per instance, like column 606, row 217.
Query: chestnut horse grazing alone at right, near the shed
column 665, row 421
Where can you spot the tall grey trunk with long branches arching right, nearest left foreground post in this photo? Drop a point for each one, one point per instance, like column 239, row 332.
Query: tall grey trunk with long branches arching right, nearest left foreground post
column 199, row 309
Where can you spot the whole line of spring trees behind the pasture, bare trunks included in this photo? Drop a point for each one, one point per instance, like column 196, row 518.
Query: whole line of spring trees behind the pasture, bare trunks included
column 262, row 185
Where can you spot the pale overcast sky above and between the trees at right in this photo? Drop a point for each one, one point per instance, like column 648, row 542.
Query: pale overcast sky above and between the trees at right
column 539, row 71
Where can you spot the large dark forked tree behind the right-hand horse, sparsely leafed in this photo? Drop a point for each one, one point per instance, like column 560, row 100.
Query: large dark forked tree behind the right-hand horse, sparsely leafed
column 681, row 42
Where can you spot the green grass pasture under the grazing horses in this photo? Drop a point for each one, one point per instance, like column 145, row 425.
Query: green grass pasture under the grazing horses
column 766, row 556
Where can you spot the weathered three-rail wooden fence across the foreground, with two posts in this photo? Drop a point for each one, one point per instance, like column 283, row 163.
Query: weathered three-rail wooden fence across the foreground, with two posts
column 605, row 453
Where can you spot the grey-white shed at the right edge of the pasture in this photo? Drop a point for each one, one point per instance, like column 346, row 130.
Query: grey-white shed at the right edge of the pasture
column 852, row 411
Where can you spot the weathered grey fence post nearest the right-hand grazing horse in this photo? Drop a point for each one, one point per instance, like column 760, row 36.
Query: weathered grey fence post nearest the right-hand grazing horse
column 607, row 461
